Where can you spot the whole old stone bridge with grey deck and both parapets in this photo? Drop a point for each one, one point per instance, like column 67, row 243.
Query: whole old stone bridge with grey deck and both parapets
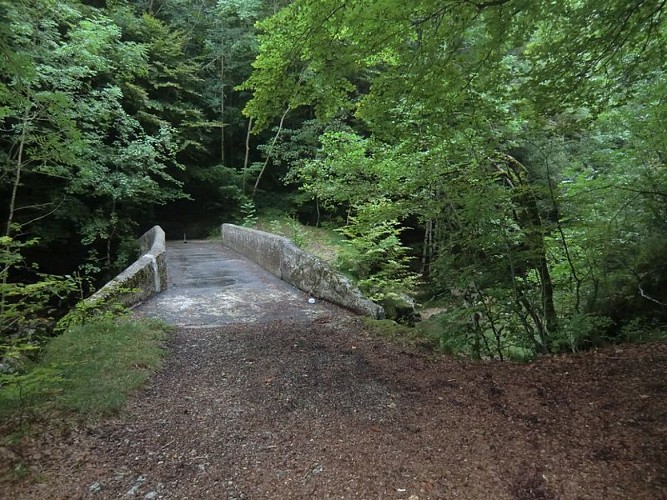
column 249, row 276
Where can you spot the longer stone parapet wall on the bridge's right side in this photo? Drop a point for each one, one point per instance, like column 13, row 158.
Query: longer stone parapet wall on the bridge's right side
column 281, row 257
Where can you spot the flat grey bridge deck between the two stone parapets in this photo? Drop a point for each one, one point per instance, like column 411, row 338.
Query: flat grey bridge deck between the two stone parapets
column 211, row 285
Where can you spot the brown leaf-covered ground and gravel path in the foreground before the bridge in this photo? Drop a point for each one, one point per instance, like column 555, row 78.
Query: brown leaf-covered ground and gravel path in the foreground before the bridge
column 321, row 409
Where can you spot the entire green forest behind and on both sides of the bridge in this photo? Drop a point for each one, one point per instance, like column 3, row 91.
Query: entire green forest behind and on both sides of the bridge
column 505, row 159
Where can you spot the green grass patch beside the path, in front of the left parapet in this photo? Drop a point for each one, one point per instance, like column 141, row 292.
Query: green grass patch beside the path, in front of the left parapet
column 89, row 370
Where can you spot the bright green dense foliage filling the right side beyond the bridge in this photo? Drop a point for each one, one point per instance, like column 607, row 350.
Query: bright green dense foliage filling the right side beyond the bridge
column 524, row 140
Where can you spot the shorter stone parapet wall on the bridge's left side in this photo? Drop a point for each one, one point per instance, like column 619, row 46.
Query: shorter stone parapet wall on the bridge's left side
column 146, row 277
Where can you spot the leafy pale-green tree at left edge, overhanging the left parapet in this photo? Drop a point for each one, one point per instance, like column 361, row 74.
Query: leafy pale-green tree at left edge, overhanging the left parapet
column 71, row 155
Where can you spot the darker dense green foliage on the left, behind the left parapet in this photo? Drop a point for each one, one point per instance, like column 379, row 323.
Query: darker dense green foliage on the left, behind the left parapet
column 107, row 112
